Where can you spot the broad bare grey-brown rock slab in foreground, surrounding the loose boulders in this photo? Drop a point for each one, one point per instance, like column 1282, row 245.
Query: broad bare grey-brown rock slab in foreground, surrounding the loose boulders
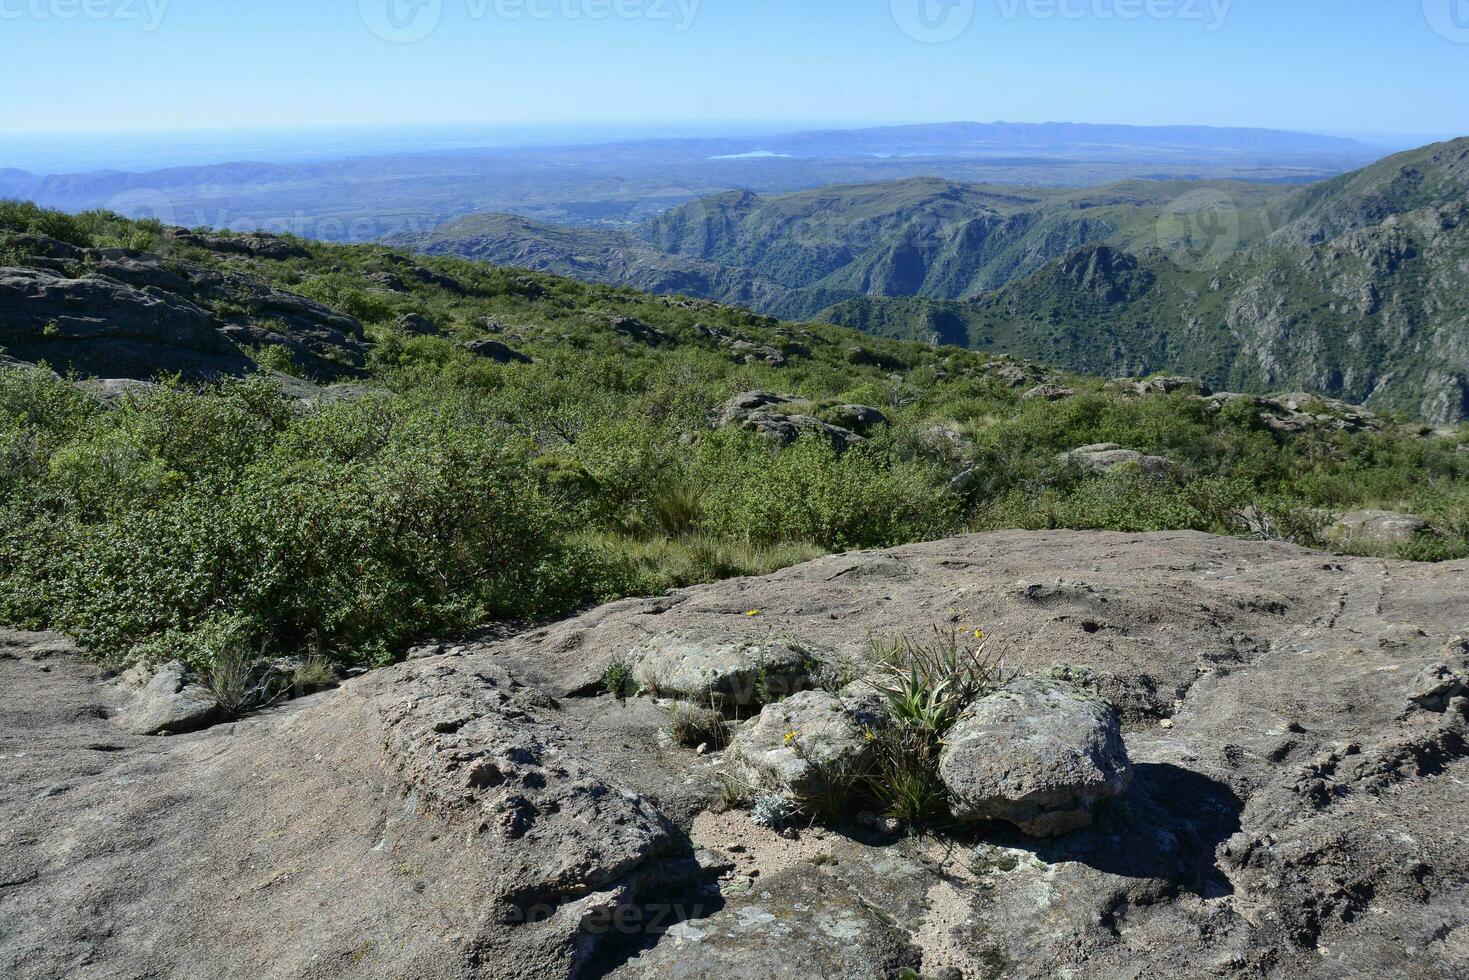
column 1298, row 807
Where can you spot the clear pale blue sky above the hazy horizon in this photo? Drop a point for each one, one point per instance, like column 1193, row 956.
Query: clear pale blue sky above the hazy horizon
column 1321, row 65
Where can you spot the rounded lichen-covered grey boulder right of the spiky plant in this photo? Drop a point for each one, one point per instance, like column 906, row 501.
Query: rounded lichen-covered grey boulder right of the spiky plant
column 1039, row 754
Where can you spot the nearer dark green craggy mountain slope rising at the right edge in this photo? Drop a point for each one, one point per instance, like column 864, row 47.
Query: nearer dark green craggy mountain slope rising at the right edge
column 1360, row 293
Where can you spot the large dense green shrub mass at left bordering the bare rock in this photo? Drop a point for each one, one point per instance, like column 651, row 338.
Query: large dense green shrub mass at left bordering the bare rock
column 362, row 527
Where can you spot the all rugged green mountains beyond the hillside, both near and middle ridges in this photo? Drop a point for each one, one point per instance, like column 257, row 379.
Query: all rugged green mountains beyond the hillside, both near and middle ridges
column 1352, row 287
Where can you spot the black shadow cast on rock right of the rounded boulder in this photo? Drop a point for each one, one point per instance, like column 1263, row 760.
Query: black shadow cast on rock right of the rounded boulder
column 1167, row 826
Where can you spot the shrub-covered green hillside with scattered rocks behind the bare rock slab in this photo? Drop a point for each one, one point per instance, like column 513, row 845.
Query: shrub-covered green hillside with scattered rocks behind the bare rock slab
column 220, row 440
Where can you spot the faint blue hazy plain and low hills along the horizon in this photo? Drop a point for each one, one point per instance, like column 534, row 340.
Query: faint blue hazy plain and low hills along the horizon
column 364, row 198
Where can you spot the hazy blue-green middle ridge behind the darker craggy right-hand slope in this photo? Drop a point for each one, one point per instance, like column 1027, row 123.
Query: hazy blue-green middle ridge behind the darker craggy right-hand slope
column 797, row 255
